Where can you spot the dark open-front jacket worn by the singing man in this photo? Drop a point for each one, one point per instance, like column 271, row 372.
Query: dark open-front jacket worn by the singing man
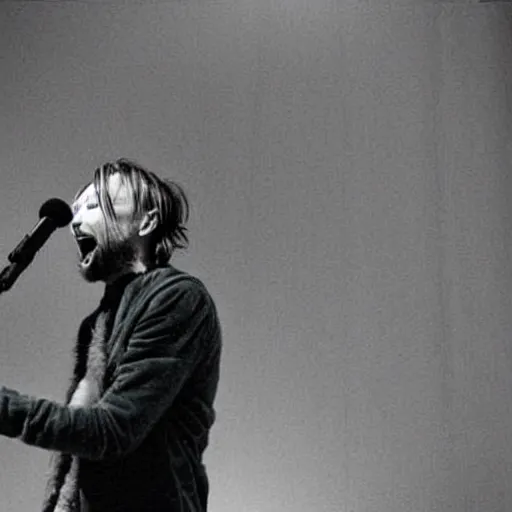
column 140, row 447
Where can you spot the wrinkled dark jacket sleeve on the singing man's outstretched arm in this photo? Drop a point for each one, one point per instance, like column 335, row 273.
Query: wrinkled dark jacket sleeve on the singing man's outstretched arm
column 161, row 353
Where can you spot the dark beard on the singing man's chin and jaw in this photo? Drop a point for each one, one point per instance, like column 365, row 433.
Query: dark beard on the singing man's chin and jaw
column 108, row 260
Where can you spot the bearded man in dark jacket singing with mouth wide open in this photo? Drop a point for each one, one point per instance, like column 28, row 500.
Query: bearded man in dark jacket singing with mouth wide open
column 140, row 406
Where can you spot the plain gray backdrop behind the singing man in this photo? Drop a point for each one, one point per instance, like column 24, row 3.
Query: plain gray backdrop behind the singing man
column 348, row 164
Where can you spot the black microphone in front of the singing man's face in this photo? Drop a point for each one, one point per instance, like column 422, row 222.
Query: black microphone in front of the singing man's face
column 53, row 214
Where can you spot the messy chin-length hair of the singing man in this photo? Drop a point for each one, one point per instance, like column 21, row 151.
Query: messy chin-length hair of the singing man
column 148, row 192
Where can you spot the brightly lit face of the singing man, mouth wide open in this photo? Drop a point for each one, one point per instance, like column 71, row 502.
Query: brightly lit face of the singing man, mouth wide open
column 102, row 257
